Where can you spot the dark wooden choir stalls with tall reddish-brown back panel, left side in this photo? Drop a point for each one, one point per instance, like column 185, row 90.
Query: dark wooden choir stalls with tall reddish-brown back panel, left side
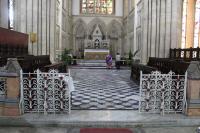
column 15, row 45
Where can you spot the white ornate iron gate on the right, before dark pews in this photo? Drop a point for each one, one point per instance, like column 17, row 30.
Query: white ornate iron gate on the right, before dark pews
column 160, row 93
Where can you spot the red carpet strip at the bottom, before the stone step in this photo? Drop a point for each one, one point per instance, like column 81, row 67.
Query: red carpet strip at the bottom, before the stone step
column 105, row 130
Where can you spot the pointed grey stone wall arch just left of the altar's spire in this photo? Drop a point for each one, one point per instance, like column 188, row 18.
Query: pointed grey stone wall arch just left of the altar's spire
column 80, row 33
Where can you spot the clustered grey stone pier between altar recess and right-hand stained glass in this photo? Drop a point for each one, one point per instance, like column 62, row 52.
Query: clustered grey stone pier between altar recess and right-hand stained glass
column 161, row 27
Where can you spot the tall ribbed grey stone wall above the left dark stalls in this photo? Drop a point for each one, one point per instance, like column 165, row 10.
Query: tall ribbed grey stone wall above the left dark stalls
column 49, row 19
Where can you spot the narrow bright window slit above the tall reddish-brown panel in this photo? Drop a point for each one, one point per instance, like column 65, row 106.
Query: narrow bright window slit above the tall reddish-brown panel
column 11, row 14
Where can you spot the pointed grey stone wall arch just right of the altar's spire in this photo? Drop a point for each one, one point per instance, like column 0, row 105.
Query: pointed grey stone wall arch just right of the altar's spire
column 115, row 32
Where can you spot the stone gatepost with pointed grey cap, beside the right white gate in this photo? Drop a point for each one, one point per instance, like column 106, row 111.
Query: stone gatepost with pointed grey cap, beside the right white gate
column 193, row 89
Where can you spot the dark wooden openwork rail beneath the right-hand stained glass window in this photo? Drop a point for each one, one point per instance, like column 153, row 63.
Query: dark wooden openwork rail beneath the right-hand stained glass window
column 188, row 54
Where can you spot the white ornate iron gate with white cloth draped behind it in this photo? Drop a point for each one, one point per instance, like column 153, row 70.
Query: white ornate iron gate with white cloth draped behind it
column 45, row 92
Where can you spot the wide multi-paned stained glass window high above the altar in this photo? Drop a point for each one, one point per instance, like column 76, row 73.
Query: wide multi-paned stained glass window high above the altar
column 97, row 7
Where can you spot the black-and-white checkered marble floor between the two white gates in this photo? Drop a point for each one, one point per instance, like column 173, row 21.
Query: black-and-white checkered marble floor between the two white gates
column 104, row 89
